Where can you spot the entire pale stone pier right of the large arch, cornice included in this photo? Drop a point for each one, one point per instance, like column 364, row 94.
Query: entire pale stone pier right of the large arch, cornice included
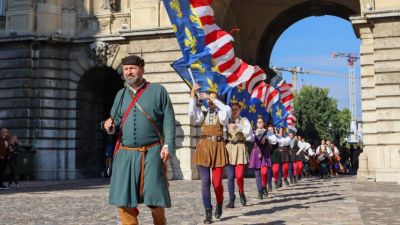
column 379, row 29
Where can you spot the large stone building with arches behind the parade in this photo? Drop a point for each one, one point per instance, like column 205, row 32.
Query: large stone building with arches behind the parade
column 60, row 69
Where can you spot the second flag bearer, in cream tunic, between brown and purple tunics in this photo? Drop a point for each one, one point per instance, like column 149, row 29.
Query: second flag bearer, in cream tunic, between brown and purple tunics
column 239, row 131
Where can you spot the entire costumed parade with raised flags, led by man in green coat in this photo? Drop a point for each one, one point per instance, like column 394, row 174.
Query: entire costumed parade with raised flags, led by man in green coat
column 246, row 117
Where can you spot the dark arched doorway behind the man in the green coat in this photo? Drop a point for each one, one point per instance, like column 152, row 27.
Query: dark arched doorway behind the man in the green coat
column 96, row 91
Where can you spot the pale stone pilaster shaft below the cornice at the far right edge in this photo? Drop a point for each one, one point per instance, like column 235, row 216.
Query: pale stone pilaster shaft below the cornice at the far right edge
column 387, row 89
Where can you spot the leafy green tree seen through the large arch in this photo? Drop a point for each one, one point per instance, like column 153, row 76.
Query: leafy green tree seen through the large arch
column 318, row 116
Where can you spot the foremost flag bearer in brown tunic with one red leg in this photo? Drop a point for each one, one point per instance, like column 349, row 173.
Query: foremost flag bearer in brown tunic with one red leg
column 210, row 154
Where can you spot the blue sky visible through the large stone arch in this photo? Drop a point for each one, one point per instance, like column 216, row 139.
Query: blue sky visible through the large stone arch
column 309, row 43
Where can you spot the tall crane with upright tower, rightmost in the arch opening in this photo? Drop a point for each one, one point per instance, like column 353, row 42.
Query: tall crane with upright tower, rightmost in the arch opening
column 351, row 59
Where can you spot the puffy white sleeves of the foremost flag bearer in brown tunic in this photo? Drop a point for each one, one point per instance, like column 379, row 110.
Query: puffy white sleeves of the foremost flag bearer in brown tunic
column 224, row 112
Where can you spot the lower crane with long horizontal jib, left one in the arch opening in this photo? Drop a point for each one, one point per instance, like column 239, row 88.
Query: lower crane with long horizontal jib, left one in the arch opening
column 295, row 71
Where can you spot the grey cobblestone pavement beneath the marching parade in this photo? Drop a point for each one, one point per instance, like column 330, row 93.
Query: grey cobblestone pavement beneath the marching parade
column 339, row 200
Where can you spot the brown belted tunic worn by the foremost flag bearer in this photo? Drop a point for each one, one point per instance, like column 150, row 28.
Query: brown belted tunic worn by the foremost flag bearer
column 211, row 153
